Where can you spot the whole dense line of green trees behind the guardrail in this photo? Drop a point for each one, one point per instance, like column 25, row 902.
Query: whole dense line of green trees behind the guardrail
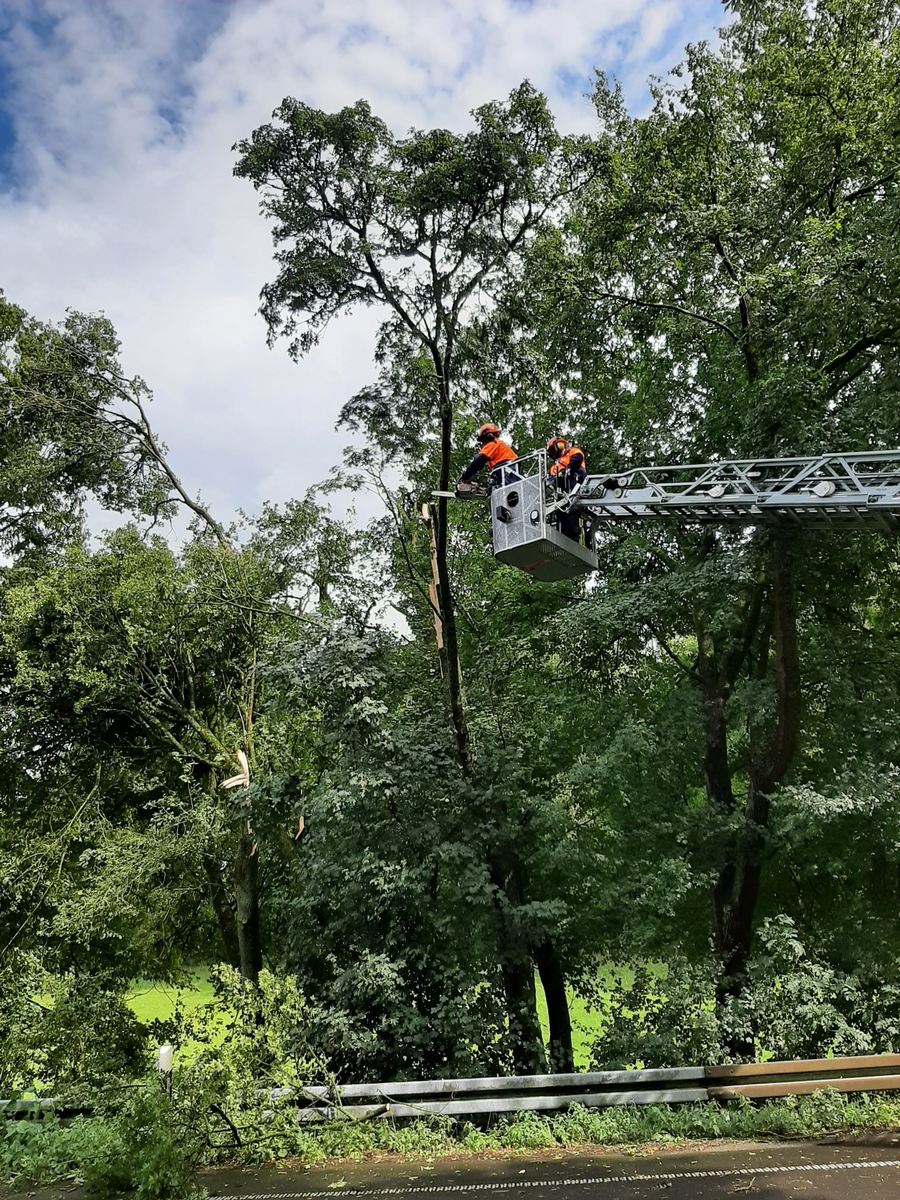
column 254, row 749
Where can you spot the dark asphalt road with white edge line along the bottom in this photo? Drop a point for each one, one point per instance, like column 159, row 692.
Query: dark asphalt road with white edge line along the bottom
column 866, row 1168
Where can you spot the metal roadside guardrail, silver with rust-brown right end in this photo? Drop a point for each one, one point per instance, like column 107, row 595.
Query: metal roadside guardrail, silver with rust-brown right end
column 549, row 1094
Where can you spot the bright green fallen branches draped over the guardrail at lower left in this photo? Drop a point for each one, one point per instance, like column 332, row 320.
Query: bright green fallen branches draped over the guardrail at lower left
column 231, row 1053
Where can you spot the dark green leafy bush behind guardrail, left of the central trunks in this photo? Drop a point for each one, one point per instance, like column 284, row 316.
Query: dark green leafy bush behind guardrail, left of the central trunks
column 393, row 877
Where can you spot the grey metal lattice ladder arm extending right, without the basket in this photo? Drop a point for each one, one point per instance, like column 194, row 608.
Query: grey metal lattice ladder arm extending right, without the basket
column 833, row 490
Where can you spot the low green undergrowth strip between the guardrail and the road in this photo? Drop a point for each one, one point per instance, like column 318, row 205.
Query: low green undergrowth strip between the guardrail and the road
column 143, row 1149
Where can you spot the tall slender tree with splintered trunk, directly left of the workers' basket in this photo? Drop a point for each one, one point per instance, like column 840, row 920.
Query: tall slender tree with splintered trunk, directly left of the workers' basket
column 428, row 227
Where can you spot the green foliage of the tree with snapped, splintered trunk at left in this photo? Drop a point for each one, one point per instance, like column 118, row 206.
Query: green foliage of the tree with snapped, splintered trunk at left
column 147, row 659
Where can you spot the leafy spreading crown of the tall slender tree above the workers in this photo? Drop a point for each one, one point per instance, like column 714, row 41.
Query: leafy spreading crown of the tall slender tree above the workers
column 357, row 213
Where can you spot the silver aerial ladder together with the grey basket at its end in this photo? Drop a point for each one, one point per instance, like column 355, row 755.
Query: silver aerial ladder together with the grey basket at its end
column 529, row 513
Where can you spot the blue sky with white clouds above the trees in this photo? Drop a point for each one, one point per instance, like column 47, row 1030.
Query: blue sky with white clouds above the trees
column 117, row 125
